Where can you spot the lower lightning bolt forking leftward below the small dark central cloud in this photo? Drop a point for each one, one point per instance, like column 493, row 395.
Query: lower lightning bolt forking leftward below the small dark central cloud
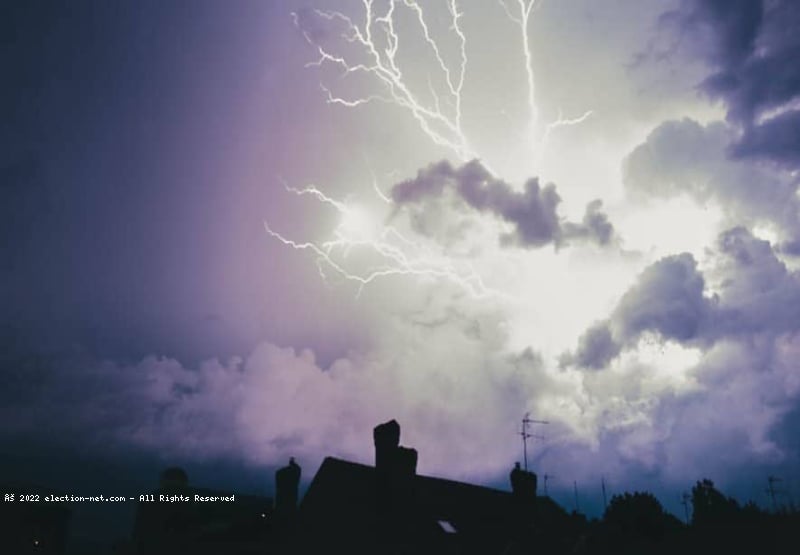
column 398, row 254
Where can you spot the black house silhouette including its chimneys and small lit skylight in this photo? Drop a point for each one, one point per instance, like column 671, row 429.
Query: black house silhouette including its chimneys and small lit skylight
column 389, row 508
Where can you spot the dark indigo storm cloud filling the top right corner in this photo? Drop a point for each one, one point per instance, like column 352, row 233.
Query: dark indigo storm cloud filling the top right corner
column 753, row 48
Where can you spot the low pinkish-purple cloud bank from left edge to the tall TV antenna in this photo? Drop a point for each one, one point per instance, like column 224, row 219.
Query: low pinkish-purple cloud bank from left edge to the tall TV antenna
column 278, row 402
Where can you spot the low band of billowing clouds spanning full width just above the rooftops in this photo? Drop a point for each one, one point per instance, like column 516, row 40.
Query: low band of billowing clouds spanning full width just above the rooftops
column 448, row 362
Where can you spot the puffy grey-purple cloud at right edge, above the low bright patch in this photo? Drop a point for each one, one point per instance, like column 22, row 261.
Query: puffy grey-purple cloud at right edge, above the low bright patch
column 755, row 295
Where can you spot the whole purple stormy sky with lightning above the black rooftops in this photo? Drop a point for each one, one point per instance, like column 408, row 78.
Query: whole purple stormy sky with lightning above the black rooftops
column 235, row 232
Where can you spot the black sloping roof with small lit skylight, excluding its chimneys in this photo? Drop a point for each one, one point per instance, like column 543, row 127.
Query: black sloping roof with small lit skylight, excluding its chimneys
column 343, row 509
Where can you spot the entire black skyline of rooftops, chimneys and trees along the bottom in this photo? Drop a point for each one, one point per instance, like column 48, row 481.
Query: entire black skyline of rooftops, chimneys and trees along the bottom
column 388, row 508
